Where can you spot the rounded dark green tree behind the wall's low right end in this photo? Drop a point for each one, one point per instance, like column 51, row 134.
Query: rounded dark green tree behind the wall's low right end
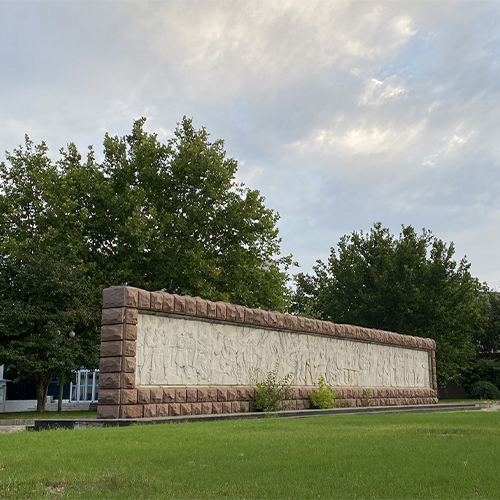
column 410, row 284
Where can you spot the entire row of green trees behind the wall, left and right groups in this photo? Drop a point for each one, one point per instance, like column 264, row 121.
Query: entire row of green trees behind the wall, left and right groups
column 172, row 217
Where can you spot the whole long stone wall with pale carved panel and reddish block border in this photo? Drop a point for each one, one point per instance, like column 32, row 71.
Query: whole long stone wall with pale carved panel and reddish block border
column 169, row 355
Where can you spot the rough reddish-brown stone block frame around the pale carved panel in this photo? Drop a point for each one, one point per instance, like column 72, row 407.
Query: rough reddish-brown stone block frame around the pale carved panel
column 120, row 398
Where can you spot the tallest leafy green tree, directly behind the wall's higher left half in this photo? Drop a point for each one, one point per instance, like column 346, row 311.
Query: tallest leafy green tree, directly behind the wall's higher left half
column 177, row 220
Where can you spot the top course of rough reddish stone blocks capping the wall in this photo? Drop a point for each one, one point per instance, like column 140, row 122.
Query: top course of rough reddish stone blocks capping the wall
column 163, row 302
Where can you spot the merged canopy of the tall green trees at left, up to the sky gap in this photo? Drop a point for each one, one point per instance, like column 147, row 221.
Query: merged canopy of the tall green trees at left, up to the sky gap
column 152, row 215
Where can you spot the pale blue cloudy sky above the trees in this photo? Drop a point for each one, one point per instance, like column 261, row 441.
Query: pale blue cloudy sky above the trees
column 342, row 113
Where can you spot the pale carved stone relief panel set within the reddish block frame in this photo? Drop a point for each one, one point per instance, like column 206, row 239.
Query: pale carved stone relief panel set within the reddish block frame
column 178, row 351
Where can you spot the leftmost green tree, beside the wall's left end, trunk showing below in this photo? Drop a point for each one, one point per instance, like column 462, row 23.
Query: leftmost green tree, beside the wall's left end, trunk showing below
column 46, row 289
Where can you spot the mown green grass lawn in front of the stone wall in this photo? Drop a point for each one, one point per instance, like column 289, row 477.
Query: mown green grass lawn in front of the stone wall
column 389, row 456
